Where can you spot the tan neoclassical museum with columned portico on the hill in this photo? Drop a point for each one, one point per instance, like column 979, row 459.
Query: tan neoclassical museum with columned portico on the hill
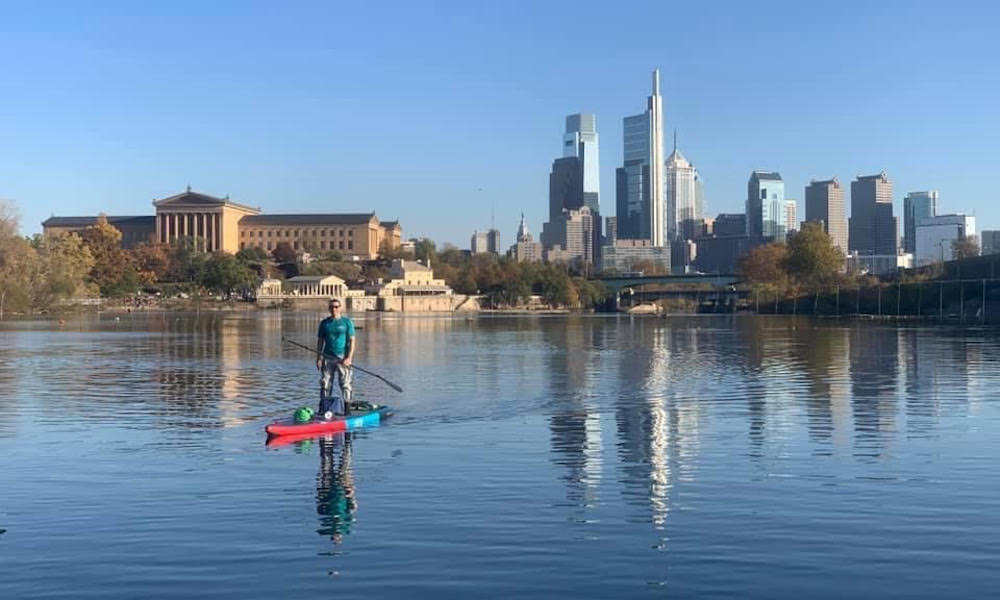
column 221, row 224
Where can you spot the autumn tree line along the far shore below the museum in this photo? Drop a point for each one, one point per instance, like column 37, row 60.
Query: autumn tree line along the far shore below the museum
column 47, row 273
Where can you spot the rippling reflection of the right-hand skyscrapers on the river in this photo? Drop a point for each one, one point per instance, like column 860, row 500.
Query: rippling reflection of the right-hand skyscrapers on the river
column 843, row 381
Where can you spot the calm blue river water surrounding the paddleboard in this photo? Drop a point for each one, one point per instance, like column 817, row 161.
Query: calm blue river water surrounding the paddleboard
column 529, row 457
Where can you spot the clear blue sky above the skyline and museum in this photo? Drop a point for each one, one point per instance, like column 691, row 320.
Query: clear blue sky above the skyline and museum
column 434, row 113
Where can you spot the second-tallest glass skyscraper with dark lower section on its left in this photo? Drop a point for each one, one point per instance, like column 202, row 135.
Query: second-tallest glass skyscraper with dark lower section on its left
column 575, row 181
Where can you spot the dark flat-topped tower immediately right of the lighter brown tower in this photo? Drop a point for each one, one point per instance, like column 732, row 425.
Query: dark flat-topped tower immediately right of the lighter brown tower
column 872, row 227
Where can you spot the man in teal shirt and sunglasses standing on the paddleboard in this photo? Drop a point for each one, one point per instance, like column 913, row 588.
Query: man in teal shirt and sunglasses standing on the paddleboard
column 335, row 339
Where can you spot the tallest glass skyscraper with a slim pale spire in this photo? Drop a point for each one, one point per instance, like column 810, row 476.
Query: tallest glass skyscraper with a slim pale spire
column 639, row 182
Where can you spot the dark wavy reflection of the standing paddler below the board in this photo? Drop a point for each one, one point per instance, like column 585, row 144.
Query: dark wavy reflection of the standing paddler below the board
column 335, row 500
